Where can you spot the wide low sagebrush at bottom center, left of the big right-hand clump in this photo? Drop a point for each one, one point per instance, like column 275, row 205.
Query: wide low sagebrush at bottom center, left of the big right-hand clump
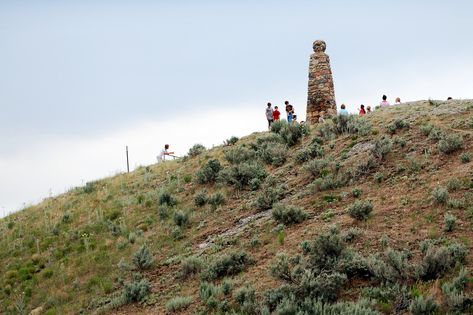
column 227, row 265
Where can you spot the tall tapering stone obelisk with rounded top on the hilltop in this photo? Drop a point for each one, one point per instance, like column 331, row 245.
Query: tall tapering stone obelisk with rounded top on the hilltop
column 321, row 94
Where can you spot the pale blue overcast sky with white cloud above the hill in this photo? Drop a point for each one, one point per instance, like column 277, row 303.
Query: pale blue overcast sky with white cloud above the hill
column 80, row 80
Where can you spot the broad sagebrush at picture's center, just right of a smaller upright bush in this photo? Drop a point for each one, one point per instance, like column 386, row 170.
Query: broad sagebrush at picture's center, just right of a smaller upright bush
column 243, row 175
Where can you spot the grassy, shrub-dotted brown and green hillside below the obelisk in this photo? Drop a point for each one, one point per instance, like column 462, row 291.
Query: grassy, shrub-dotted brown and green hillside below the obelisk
column 371, row 215
